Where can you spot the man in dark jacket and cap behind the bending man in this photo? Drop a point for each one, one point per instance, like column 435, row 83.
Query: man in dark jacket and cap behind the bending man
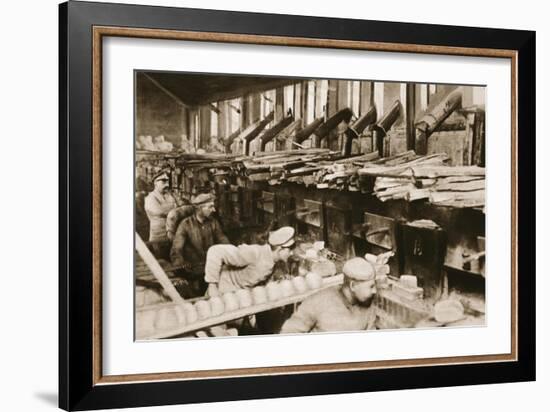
column 194, row 236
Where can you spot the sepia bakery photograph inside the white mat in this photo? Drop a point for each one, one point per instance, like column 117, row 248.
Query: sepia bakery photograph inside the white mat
column 278, row 205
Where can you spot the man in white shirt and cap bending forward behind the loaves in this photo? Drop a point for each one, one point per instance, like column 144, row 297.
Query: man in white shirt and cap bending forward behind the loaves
column 231, row 267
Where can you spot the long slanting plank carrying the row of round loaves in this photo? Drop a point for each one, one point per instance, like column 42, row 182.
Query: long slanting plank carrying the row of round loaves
column 240, row 313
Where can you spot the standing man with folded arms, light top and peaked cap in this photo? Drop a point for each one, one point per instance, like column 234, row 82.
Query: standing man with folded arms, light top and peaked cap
column 157, row 205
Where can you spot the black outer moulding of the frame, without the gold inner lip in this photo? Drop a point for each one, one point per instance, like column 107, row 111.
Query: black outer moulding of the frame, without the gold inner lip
column 76, row 387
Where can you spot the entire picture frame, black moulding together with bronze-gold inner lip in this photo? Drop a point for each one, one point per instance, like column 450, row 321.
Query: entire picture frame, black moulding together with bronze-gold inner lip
column 83, row 26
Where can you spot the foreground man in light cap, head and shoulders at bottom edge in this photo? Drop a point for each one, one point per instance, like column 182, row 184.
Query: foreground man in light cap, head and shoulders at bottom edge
column 340, row 308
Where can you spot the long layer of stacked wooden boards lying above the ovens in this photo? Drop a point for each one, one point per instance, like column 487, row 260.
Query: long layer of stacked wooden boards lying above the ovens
column 405, row 176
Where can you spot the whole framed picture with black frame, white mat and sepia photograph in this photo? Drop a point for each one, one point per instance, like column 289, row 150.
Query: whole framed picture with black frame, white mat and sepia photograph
column 261, row 205
